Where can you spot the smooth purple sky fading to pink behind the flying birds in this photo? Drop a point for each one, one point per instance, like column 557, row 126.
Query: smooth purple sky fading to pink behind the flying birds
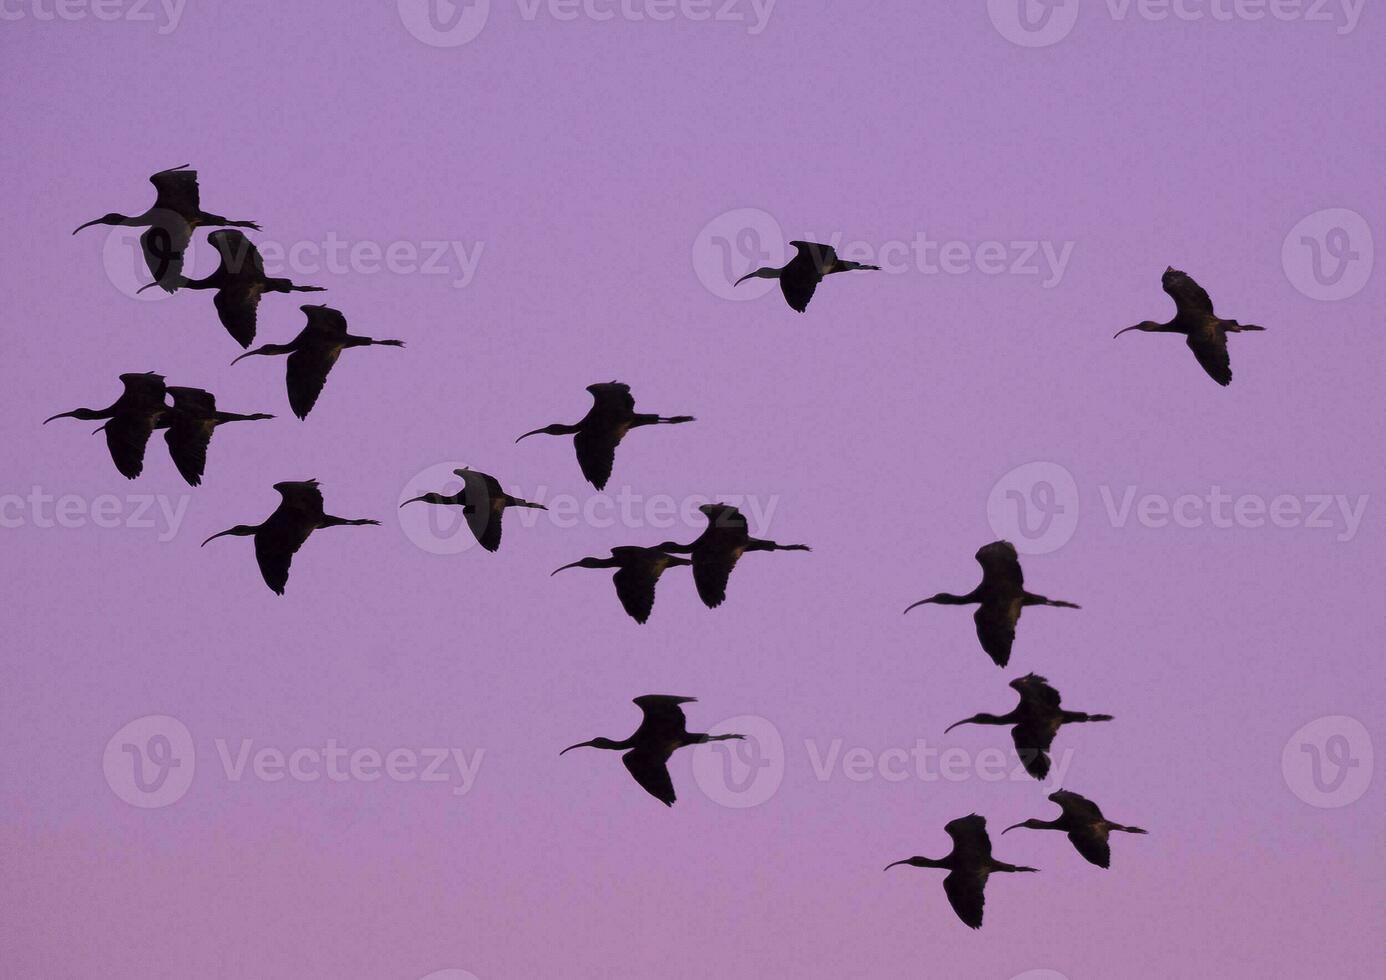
column 594, row 164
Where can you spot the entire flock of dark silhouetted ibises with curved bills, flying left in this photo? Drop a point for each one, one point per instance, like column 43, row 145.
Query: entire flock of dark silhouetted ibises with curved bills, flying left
column 191, row 418
